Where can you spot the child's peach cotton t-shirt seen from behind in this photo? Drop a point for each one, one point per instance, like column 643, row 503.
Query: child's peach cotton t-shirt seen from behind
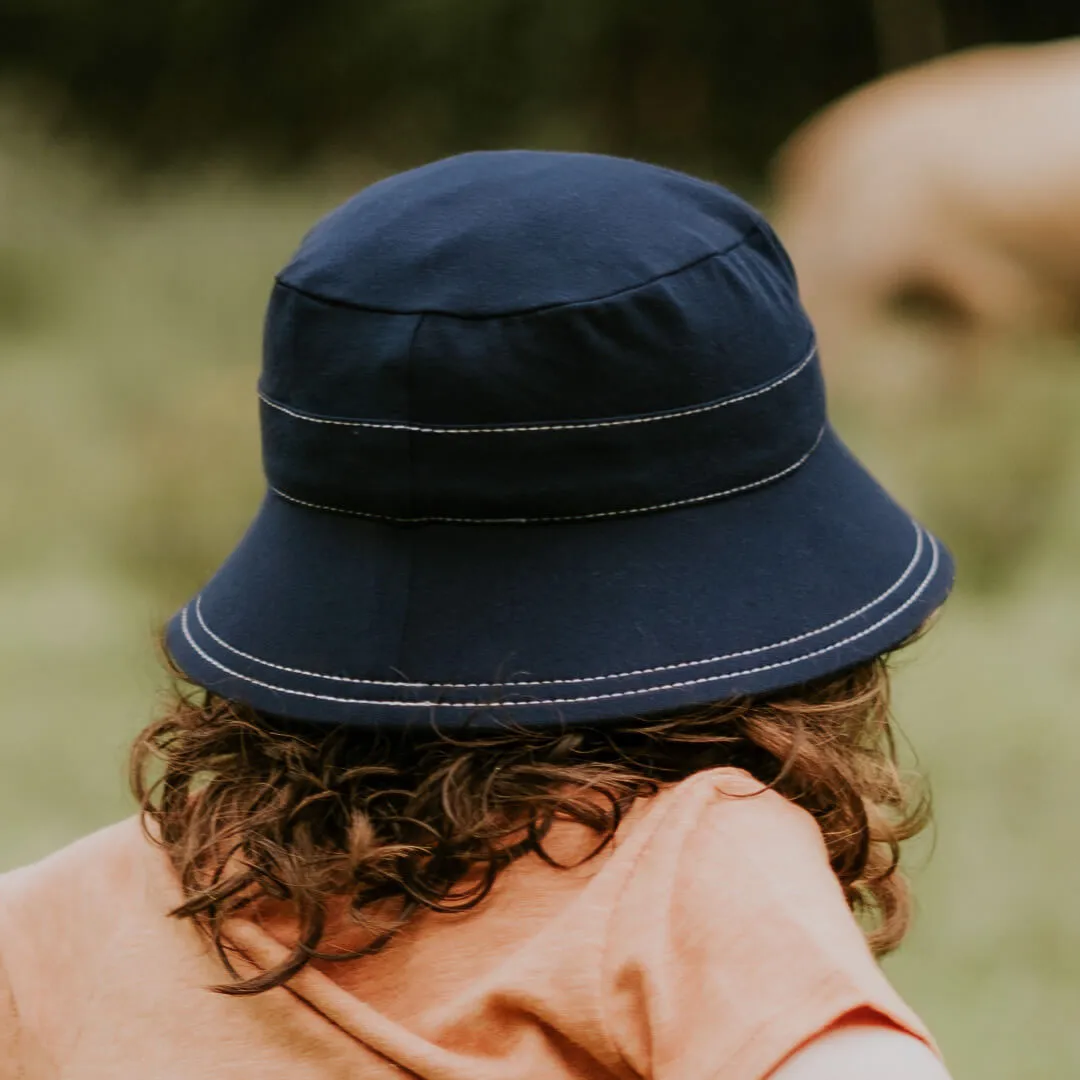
column 708, row 943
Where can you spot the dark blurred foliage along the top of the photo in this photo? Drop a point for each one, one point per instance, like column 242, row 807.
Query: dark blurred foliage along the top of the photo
column 693, row 83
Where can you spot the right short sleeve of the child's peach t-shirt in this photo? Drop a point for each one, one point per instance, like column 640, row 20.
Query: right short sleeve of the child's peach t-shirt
column 733, row 944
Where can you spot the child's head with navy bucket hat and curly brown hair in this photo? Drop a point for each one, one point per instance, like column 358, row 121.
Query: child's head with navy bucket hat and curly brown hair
column 555, row 516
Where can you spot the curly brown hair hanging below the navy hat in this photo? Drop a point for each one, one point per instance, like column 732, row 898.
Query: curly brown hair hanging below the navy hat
column 250, row 807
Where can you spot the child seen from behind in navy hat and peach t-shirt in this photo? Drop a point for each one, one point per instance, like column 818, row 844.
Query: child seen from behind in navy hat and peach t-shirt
column 538, row 727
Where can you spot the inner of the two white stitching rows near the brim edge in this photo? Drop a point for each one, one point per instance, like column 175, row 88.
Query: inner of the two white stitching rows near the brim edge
column 580, row 679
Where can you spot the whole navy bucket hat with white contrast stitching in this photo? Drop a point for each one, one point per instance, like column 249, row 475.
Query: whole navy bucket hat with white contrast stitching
column 546, row 441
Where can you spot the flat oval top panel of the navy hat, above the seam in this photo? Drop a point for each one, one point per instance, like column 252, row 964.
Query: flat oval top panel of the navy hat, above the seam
column 507, row 233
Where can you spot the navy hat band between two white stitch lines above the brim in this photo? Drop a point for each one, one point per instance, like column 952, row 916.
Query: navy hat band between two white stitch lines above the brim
column 546, row 471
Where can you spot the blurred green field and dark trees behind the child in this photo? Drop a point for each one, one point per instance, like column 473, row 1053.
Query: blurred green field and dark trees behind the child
column 158, row 165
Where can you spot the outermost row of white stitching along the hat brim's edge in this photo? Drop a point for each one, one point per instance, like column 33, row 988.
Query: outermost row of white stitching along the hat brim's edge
column 579, row 700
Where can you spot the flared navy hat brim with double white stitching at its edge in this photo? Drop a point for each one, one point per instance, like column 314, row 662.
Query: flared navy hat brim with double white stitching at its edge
column 327, row 617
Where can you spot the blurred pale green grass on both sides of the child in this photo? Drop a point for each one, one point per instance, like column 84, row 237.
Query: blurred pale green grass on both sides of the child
column 129, row 349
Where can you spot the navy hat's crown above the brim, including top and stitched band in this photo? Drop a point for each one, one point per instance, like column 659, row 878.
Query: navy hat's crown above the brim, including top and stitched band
column 569, row 296
